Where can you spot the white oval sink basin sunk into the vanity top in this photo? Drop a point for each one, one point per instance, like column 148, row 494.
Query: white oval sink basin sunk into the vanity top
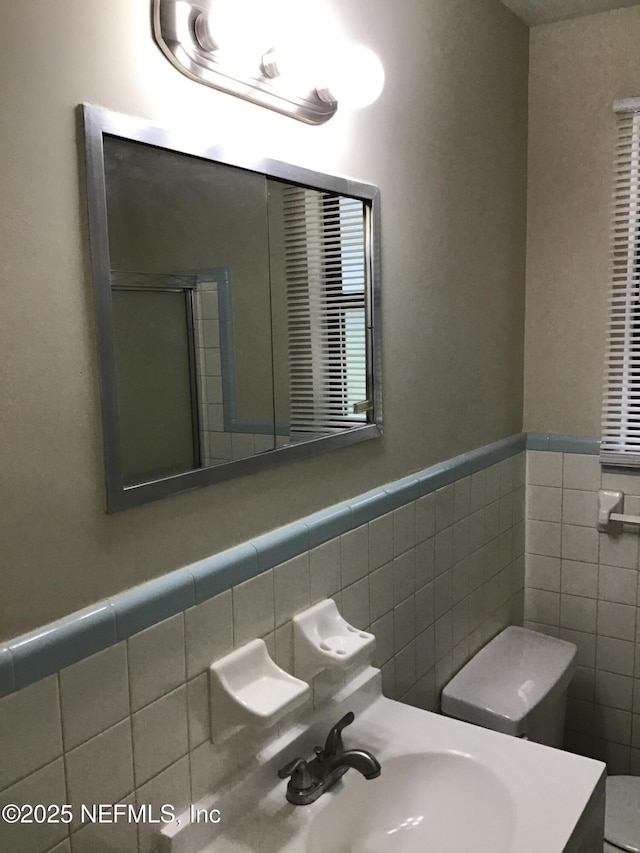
column 441, row 801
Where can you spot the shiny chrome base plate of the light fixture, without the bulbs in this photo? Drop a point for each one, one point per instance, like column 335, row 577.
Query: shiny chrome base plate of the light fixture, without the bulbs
column 174, row 28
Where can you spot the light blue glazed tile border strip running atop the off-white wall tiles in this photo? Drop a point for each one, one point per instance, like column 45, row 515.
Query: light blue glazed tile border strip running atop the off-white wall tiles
column 43, row 652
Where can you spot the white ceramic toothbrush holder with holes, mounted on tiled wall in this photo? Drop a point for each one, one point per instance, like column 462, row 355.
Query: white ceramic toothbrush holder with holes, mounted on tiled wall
column 322, row 639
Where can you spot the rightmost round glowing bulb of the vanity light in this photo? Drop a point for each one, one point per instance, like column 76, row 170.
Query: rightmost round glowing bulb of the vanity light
column 356, row 77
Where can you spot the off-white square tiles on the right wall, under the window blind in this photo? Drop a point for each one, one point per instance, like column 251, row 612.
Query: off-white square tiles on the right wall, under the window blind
column 582, row 585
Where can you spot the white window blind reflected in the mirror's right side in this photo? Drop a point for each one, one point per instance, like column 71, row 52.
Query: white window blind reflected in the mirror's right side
column 326, row 310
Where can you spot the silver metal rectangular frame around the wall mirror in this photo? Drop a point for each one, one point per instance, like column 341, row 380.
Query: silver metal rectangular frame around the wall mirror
column 98, row 122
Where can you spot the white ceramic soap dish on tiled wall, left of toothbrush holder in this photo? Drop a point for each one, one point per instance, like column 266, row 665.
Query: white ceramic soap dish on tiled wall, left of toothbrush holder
column 248, row 689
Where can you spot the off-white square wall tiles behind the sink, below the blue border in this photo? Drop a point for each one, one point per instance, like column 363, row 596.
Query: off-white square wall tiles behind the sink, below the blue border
column 434, row 579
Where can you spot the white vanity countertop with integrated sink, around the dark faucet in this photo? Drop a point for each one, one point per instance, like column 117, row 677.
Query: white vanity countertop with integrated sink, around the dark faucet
column 439, row 775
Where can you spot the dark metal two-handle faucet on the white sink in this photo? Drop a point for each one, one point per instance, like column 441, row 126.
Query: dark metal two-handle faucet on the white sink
column 308, row 780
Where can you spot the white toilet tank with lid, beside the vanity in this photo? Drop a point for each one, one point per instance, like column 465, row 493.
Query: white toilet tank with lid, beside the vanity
column 517, row 684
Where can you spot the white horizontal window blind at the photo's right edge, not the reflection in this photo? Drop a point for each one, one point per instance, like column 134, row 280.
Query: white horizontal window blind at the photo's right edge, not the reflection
column 620, row 440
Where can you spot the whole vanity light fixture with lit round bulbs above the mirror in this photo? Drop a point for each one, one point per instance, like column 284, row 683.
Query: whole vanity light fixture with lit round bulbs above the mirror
column 287, row 55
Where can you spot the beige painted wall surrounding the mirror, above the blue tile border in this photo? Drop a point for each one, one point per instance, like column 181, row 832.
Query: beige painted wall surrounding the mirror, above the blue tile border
column 447, row 145
